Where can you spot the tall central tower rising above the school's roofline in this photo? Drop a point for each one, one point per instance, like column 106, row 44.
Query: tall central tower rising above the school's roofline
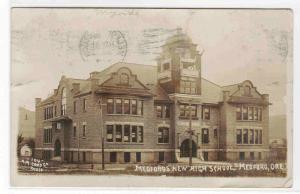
column 179, row 65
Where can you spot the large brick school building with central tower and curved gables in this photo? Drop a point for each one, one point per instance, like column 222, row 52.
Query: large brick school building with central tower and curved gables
column 142, row 113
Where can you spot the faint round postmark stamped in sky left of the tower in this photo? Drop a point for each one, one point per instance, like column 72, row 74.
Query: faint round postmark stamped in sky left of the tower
column 103, row 47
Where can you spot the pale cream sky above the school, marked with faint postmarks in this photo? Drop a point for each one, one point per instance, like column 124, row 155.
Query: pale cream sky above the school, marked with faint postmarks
column 238, row 45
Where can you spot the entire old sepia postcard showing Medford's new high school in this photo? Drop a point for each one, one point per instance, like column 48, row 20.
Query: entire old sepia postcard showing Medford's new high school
column 163, row 94
